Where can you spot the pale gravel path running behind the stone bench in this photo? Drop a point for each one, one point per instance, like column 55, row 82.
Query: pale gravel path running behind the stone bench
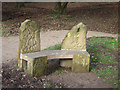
column 10, row 44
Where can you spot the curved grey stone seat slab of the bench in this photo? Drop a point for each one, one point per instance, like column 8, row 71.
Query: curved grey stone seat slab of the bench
column 52, row 54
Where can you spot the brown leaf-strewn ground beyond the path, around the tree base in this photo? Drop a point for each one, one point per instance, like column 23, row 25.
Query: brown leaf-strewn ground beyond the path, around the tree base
column 102, row 17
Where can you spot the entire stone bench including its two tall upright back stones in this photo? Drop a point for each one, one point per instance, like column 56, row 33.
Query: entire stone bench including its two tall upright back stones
column 34, row 61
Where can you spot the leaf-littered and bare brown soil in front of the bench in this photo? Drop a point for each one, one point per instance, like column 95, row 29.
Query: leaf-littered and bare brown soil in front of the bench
column 13, row 78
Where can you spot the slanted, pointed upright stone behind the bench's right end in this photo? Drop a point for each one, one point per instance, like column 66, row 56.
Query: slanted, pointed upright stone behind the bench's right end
column 76, row 38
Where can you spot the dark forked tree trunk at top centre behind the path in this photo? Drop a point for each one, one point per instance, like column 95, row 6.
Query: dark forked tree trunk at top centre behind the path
column 60, row 7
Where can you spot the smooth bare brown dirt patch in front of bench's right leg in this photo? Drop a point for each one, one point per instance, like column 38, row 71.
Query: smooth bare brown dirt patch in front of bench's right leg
column 78, row 80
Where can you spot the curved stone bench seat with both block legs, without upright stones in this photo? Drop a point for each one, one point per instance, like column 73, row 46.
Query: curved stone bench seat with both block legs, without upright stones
column 36, row 63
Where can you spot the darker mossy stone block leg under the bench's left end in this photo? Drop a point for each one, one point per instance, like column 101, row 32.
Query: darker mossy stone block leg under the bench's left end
column 35, row 67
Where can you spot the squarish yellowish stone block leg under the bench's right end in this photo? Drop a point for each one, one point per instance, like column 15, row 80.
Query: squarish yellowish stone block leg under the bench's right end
column 80, row 63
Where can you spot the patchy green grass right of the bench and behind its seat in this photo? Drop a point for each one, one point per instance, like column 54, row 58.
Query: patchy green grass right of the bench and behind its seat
column 103, row 56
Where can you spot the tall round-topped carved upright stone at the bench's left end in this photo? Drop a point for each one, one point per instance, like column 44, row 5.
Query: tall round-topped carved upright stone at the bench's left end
column 29, row 39
